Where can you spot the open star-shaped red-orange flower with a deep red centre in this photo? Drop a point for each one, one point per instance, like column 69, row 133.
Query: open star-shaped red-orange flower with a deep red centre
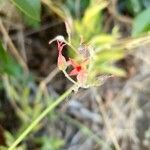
column 79, row 70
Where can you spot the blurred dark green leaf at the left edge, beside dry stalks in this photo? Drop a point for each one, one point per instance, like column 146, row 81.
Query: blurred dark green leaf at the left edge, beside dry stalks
column 8, row 64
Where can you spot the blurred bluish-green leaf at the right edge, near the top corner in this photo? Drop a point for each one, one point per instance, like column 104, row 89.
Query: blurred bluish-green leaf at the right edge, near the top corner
column 141, row 22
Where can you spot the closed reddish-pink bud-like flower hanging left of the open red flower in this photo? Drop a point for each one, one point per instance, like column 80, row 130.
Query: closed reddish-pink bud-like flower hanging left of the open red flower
column 61, row 61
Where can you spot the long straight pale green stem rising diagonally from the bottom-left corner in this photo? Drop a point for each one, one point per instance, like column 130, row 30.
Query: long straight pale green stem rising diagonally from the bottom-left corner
column 40, row 117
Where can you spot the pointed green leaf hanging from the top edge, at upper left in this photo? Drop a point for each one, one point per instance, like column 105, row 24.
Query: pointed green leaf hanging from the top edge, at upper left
column 31, row 8
